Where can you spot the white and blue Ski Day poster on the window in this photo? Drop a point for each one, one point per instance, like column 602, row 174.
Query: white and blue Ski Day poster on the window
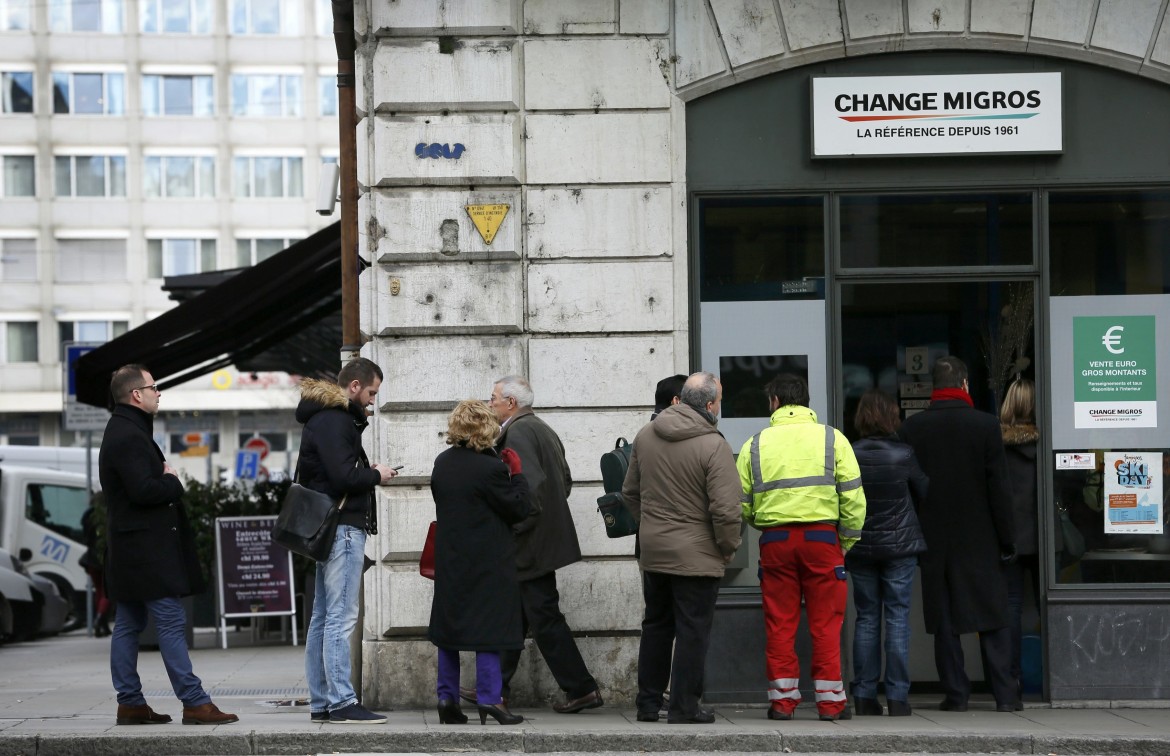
column 1133, row 492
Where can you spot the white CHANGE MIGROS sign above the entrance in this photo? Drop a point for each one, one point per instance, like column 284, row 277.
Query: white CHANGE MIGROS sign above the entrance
column 975, row 114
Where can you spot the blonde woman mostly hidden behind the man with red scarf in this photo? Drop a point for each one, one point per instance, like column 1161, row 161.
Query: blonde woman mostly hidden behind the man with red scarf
column 1017, row 421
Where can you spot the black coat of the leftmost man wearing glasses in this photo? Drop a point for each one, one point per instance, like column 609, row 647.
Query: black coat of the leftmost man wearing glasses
column 150, row 547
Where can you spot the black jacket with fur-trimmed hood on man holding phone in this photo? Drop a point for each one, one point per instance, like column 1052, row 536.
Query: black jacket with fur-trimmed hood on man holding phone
column 332, row 458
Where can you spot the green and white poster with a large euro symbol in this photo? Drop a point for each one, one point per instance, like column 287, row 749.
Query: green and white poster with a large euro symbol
column 1116, row 370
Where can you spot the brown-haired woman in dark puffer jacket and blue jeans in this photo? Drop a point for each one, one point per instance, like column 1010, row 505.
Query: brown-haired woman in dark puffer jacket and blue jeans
column 883, row 565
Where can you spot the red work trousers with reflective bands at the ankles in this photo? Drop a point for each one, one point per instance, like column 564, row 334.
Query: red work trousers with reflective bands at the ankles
column 803, row 561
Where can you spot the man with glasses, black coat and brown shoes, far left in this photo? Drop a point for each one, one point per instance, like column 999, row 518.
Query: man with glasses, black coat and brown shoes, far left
column 152, row 560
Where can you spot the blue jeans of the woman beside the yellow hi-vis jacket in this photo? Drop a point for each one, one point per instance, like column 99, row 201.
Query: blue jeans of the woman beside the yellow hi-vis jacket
column 882, row 588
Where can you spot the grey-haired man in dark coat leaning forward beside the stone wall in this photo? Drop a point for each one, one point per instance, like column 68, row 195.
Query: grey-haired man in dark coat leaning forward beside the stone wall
column 546, row 541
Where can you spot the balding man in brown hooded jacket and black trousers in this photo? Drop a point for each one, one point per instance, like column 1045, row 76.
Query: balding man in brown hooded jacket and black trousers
column 684, row 490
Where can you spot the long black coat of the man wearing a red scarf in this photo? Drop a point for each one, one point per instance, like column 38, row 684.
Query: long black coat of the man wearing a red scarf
column 968, row 517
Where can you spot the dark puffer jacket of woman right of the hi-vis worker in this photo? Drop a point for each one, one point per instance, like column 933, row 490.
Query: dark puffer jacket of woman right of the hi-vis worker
column 896, row 487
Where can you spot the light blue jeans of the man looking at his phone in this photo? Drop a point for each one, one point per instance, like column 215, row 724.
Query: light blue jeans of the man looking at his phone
column 335, row 613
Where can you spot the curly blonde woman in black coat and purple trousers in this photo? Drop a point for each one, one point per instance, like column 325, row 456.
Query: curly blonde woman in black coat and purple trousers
column 477, row 603
